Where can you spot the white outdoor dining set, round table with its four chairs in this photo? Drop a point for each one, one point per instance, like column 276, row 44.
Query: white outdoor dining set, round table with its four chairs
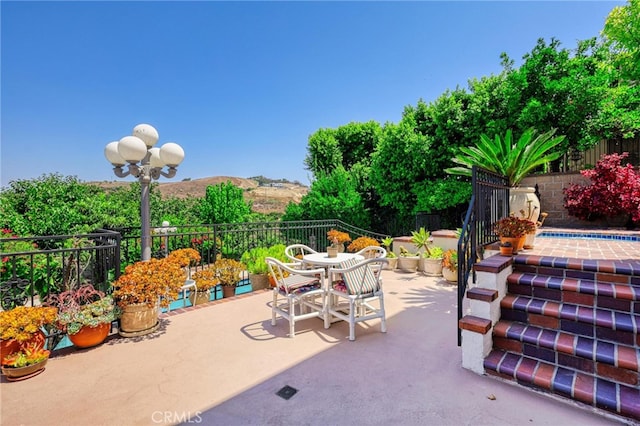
column 347, row 287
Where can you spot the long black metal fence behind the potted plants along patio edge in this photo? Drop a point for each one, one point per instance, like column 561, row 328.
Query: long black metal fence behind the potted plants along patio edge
column 34, row 267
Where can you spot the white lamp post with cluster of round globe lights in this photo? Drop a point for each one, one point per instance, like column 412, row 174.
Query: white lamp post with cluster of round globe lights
column 145, row 163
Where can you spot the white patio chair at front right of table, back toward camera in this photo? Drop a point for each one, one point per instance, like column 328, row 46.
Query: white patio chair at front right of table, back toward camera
column 355, row 293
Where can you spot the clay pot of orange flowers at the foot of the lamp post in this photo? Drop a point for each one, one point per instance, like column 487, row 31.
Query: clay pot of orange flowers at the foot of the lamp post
column 145, row 287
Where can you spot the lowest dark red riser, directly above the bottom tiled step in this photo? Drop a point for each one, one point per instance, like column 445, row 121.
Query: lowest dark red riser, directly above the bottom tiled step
column 621, row 375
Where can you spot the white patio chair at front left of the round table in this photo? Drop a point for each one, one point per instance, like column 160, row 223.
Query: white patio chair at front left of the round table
column 299, row 293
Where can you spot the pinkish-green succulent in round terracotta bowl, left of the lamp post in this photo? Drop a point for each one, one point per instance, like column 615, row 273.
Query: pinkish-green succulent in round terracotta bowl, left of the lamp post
column 85, row 314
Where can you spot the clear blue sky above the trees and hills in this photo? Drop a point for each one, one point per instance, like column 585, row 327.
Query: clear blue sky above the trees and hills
column 242, row 85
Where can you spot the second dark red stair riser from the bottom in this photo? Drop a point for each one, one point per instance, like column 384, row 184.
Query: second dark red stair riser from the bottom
column 575, row 327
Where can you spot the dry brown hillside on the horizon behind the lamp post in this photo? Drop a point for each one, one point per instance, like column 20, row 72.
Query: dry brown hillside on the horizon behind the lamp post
column 266, row 199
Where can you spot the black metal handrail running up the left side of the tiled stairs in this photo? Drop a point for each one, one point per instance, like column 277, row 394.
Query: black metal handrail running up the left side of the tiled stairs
column 489, row 202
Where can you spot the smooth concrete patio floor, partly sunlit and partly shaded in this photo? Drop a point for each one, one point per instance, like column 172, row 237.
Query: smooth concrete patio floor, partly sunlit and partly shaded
column 222, row 364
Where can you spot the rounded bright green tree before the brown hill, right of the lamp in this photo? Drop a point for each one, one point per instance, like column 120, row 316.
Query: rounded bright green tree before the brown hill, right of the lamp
column 224, row 203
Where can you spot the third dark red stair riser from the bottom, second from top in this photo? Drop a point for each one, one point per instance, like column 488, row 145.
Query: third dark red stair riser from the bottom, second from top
column 601, row 301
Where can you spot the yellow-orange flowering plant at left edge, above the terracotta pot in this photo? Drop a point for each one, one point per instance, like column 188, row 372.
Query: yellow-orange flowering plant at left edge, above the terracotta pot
column 22, row 322
